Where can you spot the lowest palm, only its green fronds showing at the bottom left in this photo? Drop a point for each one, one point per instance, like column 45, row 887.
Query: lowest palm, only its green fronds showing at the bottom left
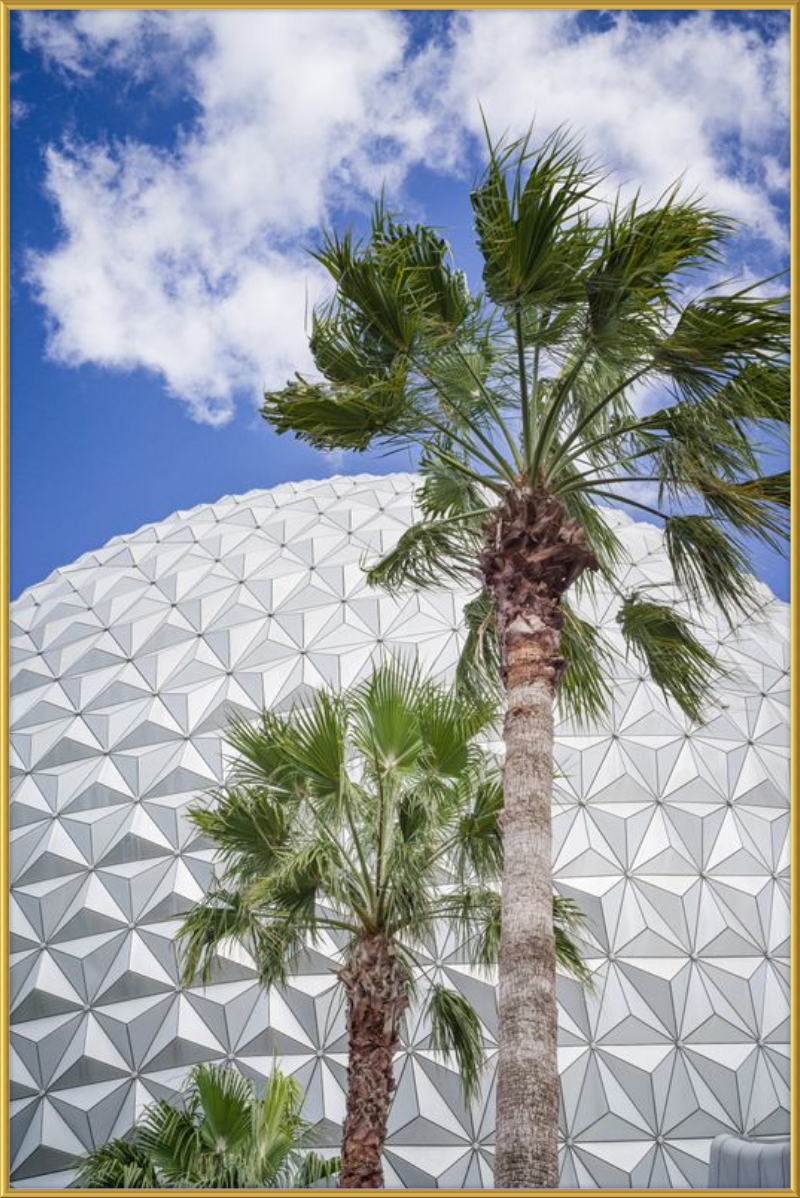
column 223, row 1138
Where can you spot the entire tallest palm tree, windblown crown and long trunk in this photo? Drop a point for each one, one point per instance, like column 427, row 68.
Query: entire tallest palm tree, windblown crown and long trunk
column 592, row 367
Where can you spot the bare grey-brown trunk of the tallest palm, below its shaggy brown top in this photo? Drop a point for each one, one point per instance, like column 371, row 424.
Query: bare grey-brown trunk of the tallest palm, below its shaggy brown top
column 528, row 1068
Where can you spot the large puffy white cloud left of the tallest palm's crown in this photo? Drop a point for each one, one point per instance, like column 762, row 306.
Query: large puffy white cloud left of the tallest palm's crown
column 190, row 264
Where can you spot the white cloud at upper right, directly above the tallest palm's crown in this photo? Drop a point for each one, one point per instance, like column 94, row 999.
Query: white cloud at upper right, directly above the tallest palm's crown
column 654, row 102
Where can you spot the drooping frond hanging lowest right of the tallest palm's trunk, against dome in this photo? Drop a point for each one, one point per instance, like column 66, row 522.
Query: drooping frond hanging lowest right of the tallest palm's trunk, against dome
column 663, row 639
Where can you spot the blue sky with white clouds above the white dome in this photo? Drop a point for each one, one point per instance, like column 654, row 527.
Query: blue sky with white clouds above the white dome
column 171, row 168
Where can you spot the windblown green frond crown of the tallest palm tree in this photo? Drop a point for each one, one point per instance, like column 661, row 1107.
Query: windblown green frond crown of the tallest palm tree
column 530, row 392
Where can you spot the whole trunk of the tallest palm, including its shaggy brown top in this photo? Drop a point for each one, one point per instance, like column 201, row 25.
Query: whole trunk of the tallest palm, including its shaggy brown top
column 532, row 554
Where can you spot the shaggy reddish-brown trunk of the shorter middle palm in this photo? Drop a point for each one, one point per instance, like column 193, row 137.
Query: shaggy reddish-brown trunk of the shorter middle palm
column 377, row 985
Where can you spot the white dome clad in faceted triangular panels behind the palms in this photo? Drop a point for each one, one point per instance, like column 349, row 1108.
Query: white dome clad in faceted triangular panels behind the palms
column 674, row 840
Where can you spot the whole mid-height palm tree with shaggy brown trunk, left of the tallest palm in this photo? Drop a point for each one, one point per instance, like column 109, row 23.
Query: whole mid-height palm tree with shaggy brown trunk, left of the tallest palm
column 347, row 818
